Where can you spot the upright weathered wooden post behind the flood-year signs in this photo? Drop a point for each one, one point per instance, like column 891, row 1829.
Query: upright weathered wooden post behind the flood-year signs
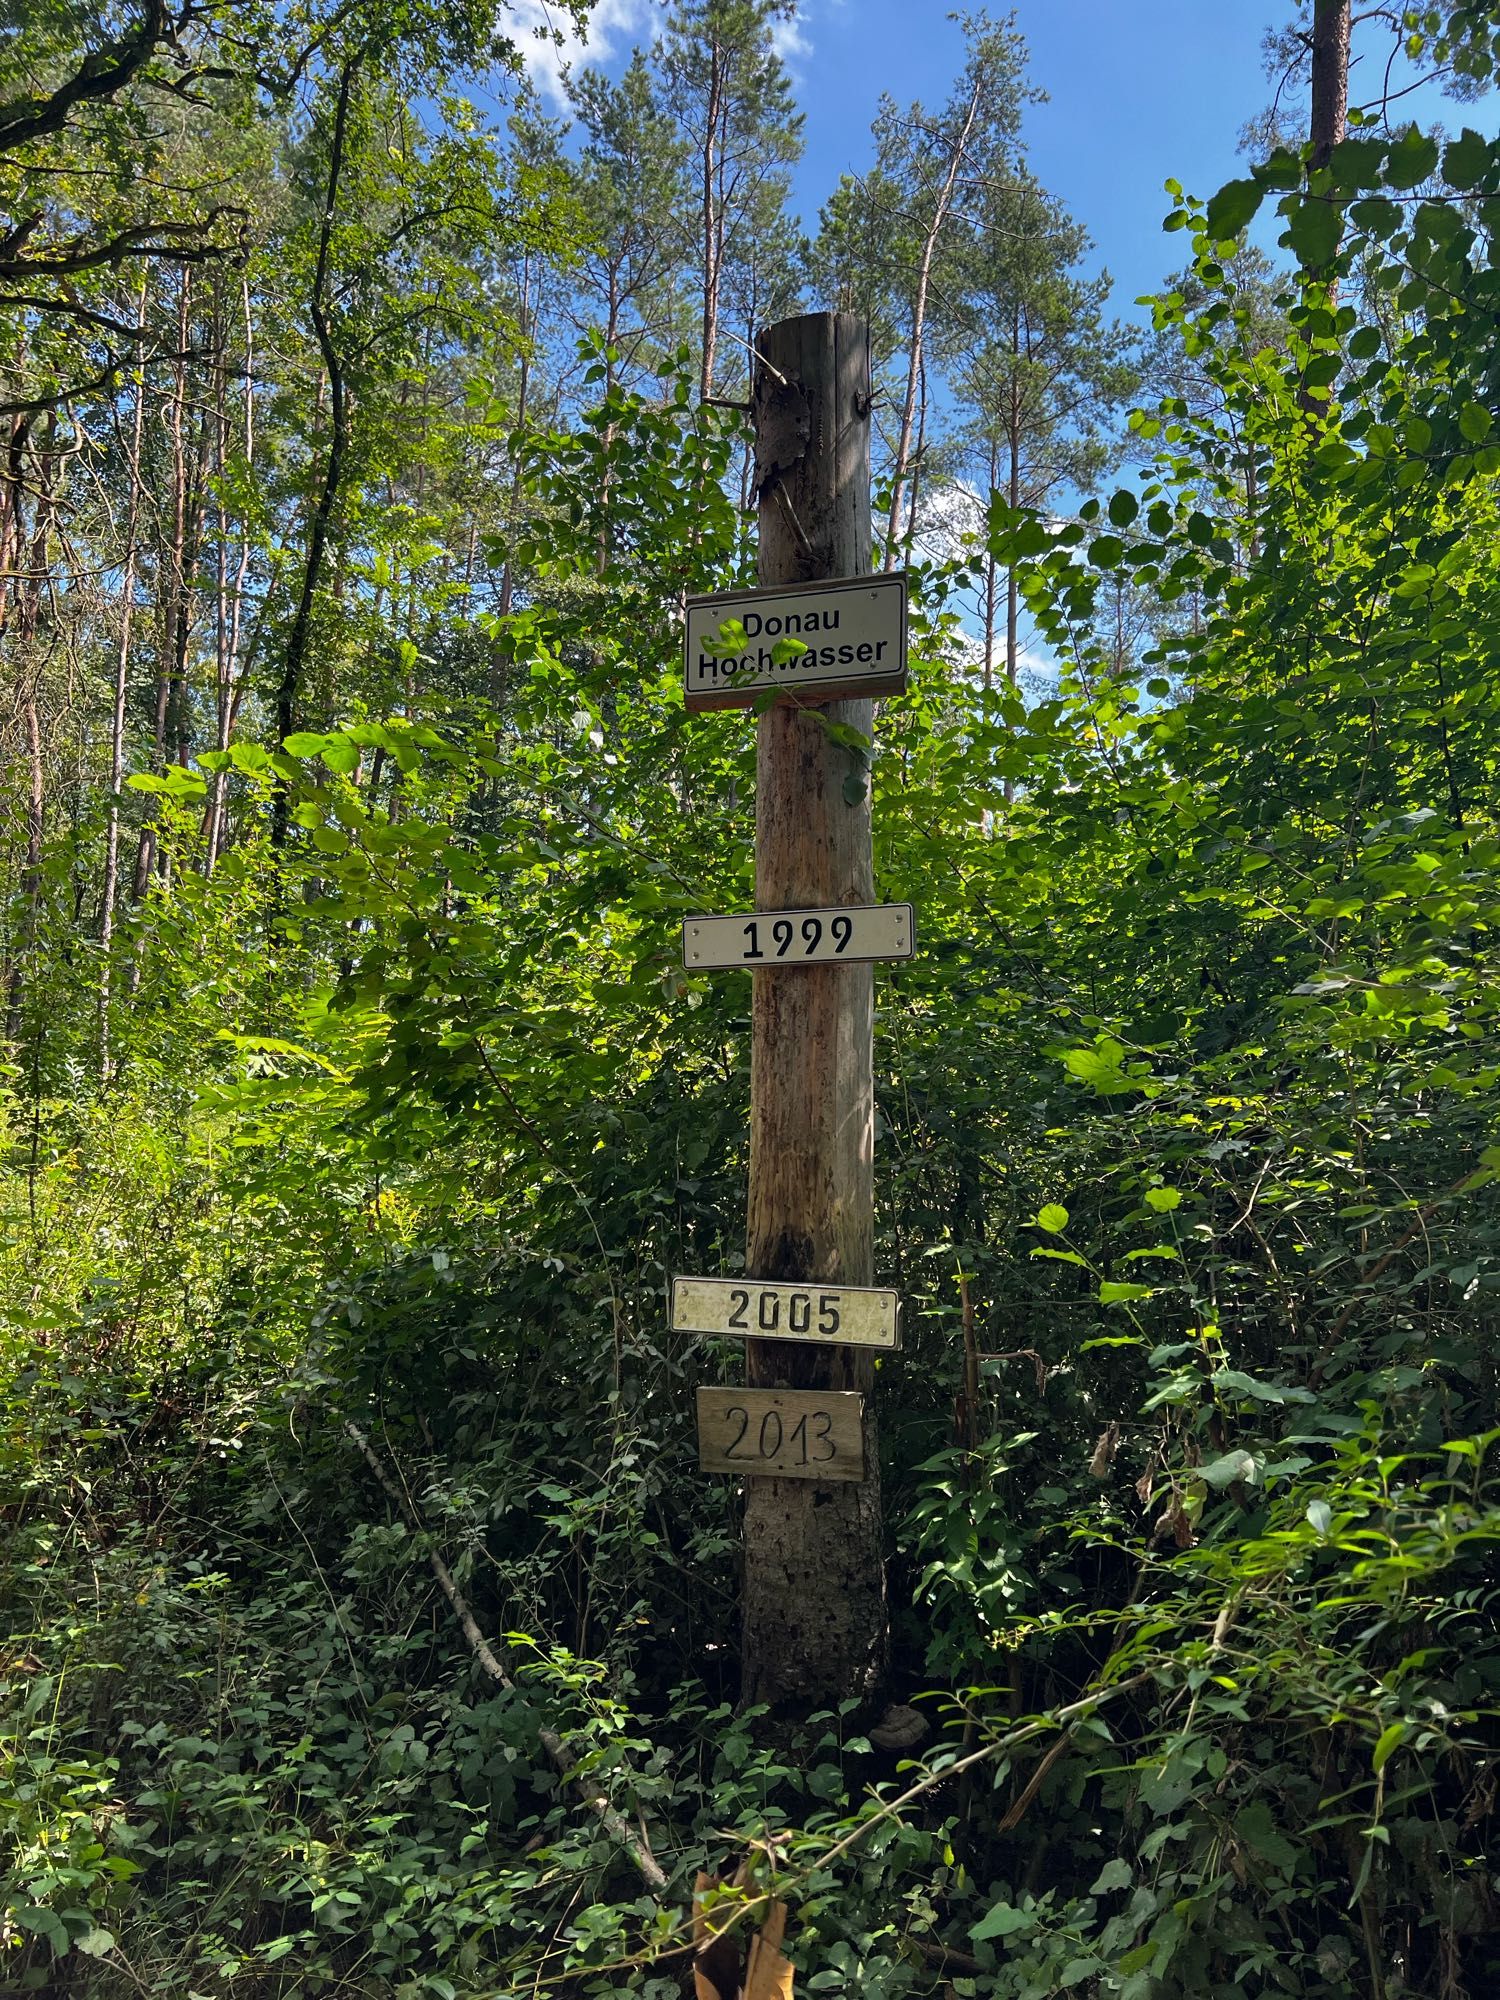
column 815, row 1591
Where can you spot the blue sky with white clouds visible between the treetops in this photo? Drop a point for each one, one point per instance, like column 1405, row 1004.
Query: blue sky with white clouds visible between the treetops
column 1139, row 93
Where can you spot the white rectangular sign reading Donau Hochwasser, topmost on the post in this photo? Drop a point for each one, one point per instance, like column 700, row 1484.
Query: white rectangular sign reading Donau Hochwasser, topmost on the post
column 813, row 641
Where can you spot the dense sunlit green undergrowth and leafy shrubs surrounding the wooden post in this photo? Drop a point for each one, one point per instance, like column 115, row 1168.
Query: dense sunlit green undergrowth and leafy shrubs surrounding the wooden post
column 383, row 1147
